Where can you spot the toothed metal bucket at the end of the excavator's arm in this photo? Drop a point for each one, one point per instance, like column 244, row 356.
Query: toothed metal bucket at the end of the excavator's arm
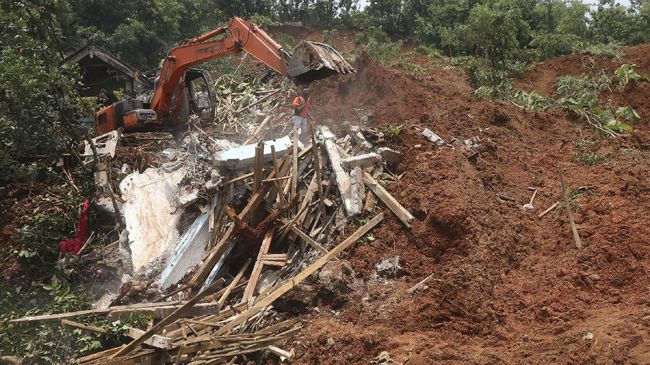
column 313, row 61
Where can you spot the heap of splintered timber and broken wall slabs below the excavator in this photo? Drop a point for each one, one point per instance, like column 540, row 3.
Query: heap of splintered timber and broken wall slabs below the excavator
column 217, row 228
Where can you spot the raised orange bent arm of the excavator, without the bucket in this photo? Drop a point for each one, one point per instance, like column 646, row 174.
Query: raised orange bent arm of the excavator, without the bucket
column 238, row 36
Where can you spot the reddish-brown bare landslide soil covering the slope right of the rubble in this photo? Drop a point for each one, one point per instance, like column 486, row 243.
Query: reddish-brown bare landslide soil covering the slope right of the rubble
column 508, row 286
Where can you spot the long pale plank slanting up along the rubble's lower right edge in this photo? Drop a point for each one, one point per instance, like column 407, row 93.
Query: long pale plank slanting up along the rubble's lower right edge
column 266, row 300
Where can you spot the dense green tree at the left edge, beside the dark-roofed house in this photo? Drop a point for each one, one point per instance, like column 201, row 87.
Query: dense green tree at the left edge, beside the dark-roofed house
column 38, row 99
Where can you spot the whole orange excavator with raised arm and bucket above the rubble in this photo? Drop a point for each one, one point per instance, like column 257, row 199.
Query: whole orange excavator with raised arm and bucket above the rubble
column 174, row 98
